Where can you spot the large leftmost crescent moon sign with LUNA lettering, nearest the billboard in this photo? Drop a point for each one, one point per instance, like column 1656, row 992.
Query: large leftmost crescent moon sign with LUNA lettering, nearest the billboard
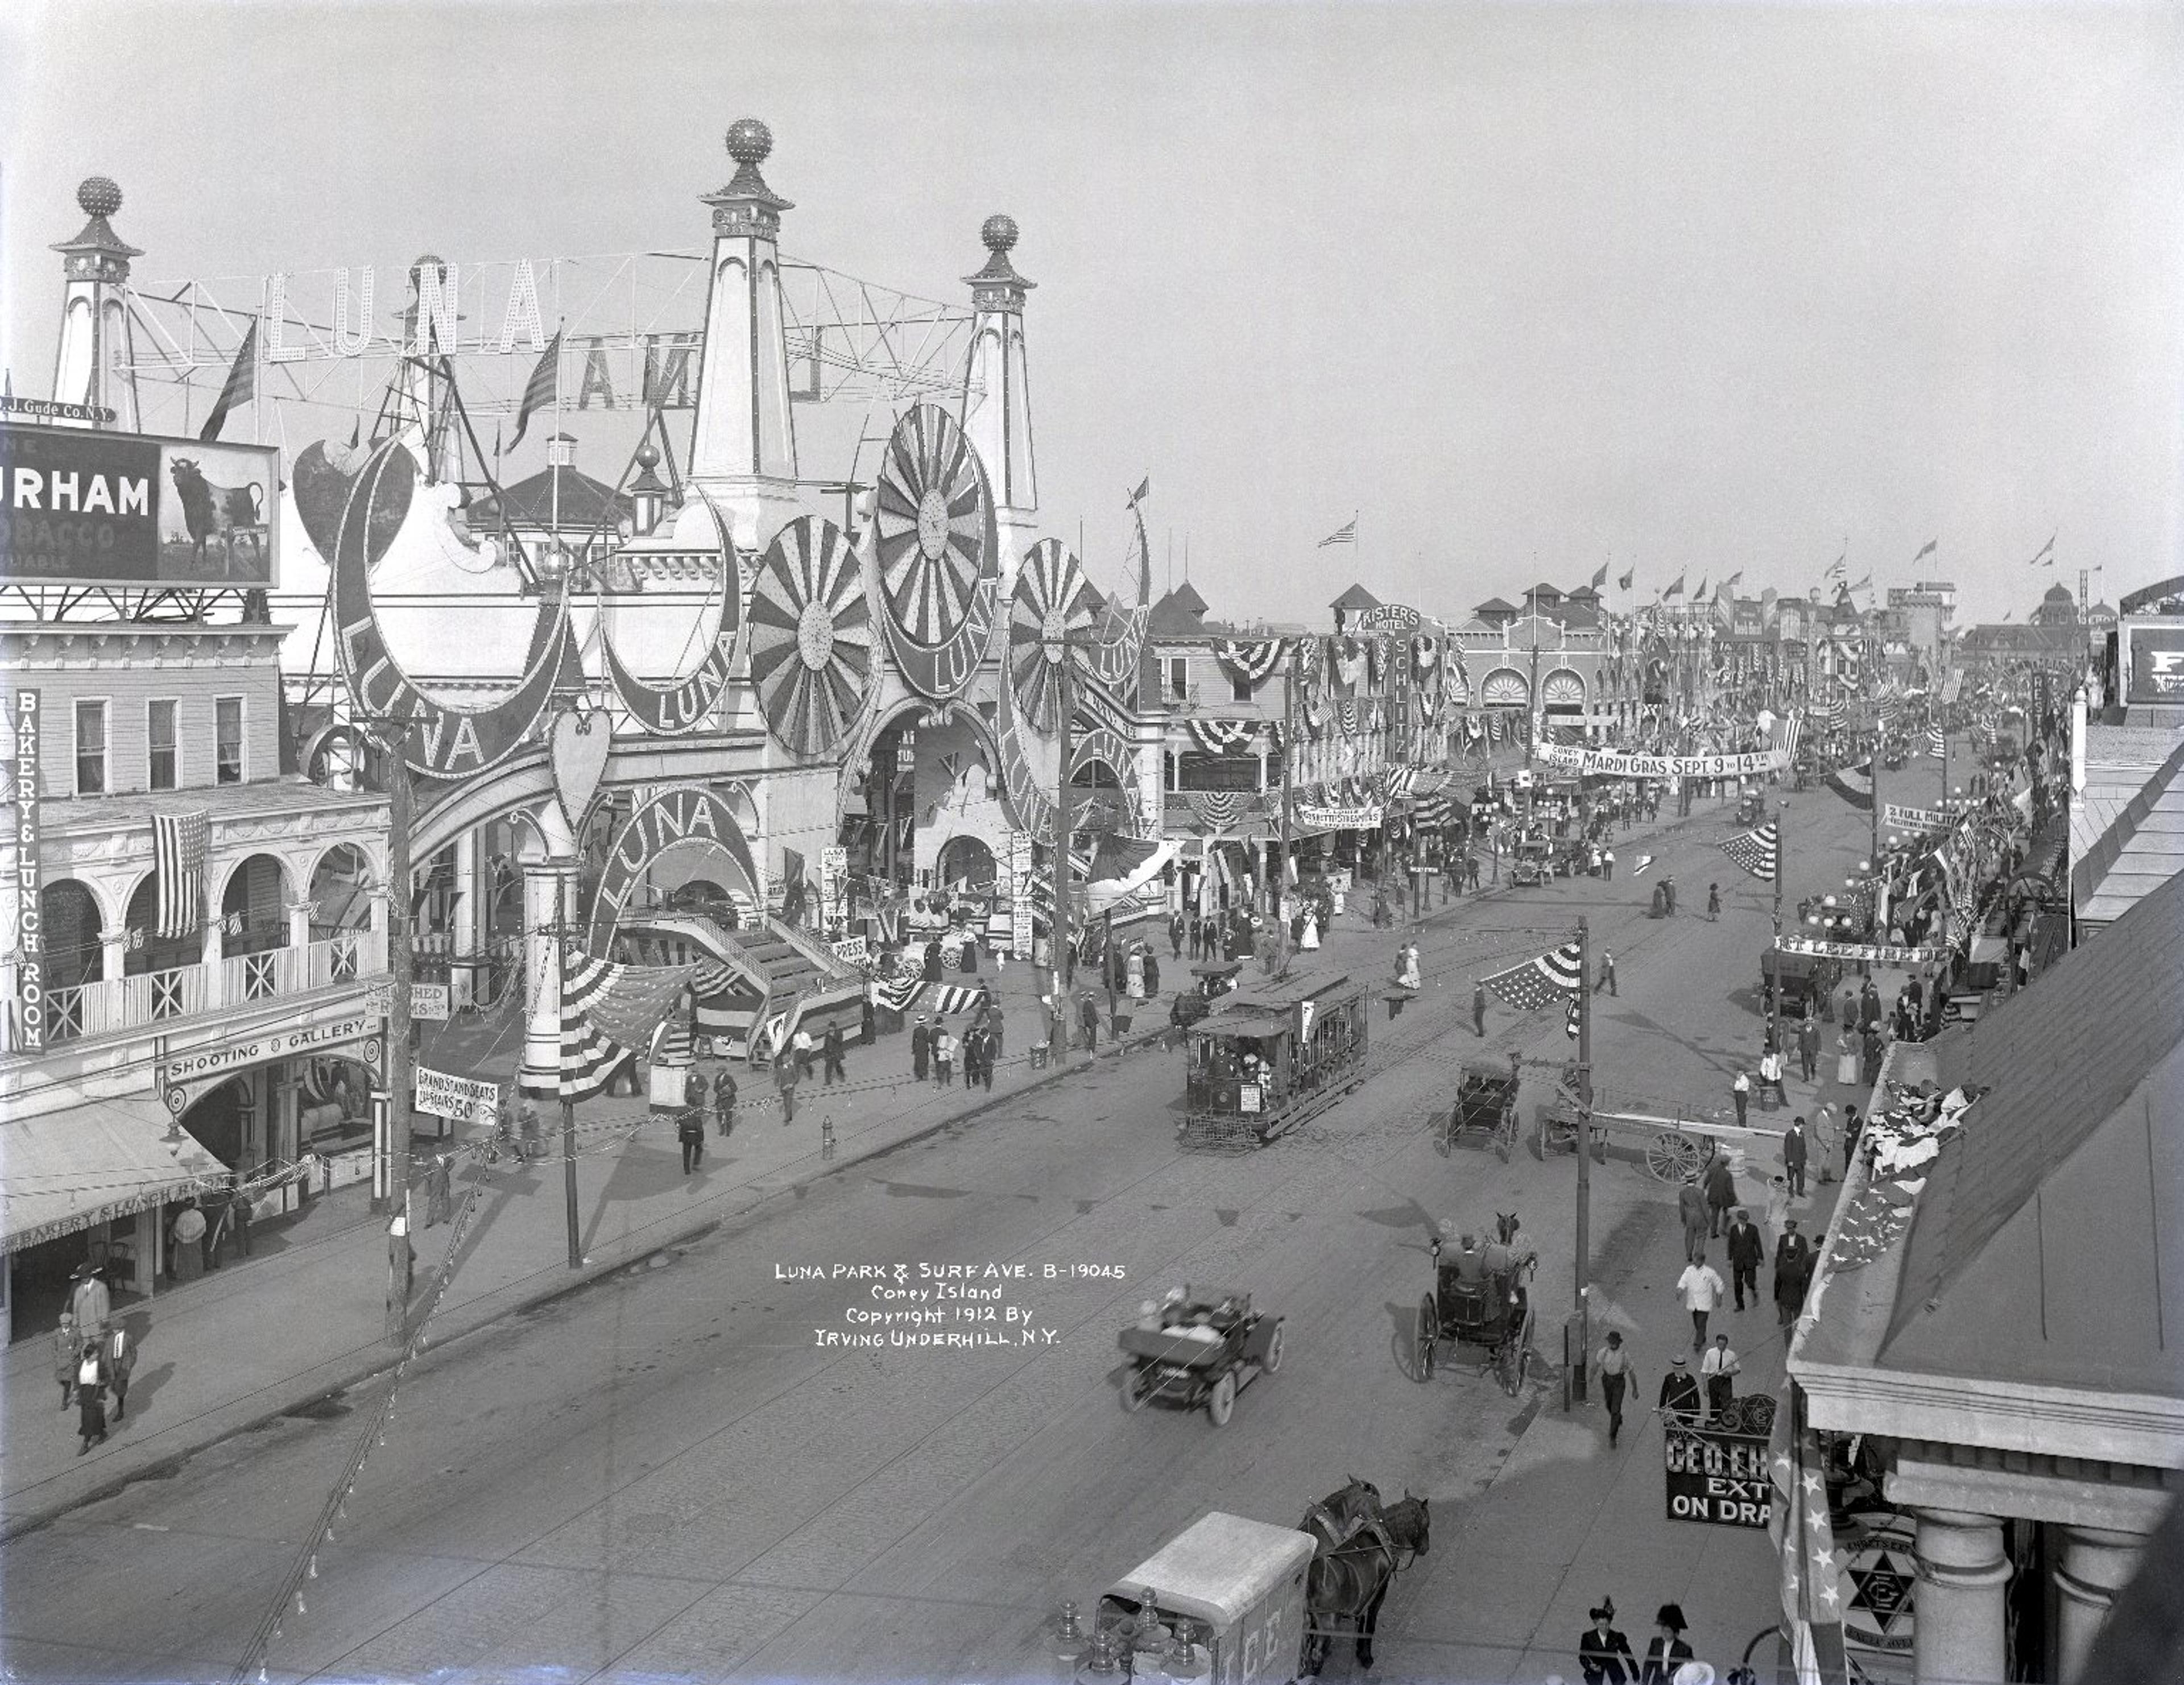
column 440, row 741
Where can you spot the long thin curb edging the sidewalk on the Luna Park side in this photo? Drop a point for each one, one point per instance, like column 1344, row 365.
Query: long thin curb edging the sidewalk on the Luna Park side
column 593, row 1274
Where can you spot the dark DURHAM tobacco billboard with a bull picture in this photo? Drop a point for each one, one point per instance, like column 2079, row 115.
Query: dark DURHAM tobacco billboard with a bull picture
column 84, row 507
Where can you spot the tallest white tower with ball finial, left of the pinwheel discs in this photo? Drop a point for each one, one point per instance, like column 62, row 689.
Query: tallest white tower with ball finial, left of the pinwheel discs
column 744, row 451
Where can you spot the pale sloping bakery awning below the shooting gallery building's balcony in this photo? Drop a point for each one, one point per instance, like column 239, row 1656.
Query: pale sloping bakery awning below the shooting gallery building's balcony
column 99, row 1160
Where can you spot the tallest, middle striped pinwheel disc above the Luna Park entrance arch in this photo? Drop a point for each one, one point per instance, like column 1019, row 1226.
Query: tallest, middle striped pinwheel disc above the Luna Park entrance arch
column 938, row 549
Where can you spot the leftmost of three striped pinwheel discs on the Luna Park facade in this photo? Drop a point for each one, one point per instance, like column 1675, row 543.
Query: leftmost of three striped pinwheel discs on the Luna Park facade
column 811, row 636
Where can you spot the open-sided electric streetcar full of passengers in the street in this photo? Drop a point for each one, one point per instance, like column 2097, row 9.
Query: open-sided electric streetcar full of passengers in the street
column 1270, row 1057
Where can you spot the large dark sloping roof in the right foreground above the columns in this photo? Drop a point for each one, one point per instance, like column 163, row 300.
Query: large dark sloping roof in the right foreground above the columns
column 2050, row 1239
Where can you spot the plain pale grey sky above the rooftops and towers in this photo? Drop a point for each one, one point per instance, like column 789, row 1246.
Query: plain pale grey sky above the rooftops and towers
column 1528, row 291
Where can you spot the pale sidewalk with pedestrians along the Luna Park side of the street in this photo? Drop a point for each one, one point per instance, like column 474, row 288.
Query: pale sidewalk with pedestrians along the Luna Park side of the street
column 307, row 1315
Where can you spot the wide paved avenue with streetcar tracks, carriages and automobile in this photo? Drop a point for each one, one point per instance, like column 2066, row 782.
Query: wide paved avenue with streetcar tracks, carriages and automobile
column 669, row 1477
